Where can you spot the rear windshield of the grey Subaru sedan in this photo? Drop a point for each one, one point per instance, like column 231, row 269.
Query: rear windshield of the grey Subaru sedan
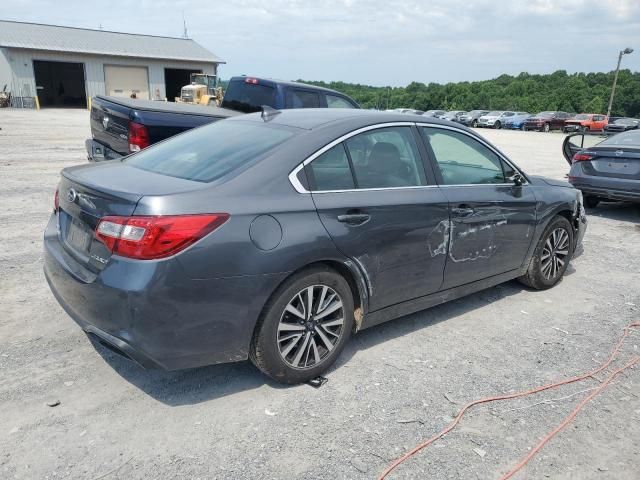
column 207, row 153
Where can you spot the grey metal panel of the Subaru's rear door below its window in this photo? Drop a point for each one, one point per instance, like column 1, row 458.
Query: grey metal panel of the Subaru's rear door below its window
column 399, row 249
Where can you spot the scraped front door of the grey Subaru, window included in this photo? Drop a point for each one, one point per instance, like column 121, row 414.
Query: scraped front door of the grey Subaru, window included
column 492, row 218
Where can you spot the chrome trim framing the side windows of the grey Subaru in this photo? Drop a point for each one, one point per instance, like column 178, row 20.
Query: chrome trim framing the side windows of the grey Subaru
column 293, row 176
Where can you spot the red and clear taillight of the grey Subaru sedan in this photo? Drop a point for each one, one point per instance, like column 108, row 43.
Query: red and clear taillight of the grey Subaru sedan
column 148, row 238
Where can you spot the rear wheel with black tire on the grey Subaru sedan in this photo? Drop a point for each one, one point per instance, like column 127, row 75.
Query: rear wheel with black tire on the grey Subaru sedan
column 278, row 351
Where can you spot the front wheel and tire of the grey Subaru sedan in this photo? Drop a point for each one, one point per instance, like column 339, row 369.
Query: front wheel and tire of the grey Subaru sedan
column 548, row 264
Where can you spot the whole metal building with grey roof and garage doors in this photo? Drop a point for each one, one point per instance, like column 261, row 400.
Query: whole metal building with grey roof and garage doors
column 64, row 66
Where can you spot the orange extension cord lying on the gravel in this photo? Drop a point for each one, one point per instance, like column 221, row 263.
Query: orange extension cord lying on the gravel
column 550, row 435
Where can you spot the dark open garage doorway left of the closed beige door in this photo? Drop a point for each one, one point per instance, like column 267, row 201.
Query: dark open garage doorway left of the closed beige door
column 60, row 84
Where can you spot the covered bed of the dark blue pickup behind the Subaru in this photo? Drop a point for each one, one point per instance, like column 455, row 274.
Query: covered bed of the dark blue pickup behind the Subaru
column 112, row 117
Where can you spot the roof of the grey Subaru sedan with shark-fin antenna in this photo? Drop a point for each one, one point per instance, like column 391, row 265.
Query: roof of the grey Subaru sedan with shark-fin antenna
column 311, row 118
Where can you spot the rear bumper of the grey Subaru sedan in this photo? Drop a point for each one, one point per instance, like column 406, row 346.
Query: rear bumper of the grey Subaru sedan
column 152, row 312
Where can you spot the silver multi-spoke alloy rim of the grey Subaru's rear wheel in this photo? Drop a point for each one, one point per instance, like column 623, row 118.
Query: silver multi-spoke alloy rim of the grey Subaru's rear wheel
column 310, row 326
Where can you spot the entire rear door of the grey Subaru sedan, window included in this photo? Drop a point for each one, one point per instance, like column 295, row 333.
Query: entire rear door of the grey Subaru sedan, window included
column 376, row 202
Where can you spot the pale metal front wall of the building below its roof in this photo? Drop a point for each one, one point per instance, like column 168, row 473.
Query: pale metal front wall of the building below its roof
column 21, row 77
